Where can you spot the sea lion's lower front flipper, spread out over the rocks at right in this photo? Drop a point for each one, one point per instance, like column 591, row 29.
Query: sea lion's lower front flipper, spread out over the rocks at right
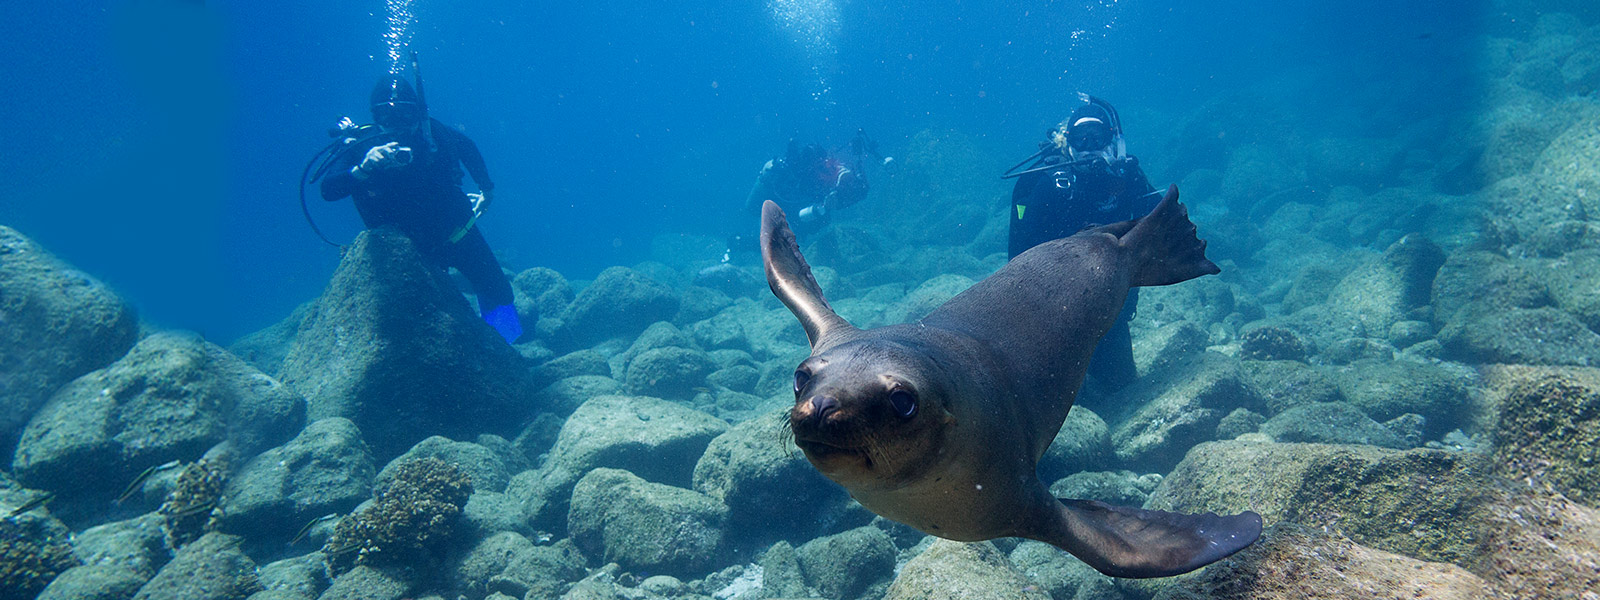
column 1135, row 543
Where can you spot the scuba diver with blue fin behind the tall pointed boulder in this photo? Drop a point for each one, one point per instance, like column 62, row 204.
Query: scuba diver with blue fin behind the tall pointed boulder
column 409, row 177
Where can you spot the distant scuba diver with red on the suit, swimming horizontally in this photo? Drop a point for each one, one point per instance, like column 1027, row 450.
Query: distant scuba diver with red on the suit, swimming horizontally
column 810, row 183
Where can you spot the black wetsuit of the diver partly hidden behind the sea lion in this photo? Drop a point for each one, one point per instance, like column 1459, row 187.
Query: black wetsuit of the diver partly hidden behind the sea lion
column 1060, row 202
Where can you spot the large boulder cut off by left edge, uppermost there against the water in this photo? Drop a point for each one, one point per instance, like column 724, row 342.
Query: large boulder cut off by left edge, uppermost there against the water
column 60, row 324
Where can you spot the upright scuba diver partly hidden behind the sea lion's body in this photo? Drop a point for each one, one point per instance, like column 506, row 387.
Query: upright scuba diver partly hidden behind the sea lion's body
column 1084, row 177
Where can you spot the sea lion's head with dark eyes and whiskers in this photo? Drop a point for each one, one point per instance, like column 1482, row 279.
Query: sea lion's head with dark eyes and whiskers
column 870, row 412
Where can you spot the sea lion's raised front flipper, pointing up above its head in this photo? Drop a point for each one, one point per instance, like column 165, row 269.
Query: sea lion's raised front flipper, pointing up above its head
column 791, row 279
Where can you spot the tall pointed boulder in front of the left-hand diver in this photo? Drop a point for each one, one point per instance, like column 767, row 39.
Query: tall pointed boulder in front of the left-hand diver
column 394, row 348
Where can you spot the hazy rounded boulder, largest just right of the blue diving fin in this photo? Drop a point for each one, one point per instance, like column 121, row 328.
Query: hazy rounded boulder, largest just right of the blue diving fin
column 620, row 303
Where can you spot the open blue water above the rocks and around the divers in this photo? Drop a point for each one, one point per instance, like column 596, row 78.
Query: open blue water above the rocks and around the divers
column 159, row 143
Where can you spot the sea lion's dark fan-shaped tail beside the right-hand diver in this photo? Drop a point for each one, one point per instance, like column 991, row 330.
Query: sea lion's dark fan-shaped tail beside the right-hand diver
column 1164, row 246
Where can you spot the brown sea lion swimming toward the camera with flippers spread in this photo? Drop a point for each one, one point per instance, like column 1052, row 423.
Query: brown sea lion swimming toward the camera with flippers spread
column 940, row 423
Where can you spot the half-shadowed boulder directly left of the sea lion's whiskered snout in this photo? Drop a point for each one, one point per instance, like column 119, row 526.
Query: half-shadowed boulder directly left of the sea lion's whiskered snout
column 762, row 478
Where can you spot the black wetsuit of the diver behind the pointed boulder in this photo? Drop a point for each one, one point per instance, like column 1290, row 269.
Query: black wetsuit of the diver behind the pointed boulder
column 425, row 201
